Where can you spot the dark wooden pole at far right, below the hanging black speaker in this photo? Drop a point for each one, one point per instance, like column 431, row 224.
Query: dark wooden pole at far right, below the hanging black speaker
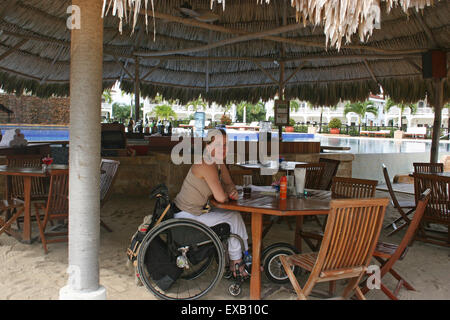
column 438, row 101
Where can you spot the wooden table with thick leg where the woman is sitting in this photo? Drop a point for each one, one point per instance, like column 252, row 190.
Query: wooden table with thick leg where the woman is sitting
column 260, row 204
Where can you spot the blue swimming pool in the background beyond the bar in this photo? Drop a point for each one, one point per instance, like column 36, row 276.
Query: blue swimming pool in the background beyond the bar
column 358, row 145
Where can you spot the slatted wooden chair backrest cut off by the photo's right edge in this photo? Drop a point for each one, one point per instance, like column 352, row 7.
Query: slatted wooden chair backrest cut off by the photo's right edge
column 438, row 208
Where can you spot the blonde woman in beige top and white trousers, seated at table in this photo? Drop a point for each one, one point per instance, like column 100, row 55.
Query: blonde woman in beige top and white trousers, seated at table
column 212, row 178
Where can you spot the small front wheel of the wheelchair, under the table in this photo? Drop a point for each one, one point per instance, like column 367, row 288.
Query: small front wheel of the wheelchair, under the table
column 273, row 269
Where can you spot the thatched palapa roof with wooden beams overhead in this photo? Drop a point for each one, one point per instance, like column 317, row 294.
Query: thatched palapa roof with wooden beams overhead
column 246, row 51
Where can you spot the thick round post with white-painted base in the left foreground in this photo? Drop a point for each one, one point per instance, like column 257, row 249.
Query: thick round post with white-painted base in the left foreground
column 86, row 68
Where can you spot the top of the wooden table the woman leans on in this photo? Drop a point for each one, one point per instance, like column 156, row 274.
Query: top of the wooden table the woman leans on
column 316, row 202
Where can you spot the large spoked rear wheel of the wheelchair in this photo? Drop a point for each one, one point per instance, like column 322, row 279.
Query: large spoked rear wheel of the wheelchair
column 180, row 259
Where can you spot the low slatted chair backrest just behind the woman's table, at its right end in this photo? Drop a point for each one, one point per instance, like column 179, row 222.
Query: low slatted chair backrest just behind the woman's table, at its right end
column 352, row 188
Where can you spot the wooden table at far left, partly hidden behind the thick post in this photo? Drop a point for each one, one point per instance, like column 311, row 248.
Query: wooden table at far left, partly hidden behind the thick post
column 27, row 174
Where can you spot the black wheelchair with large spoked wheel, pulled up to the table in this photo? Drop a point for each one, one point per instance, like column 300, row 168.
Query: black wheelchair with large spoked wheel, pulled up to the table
column 185, row 259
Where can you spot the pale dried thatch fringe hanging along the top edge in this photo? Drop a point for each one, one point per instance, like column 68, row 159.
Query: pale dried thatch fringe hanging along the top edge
column 341, row 19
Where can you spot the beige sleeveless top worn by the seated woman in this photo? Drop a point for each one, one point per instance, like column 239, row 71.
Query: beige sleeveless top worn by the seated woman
column 193, row 196
